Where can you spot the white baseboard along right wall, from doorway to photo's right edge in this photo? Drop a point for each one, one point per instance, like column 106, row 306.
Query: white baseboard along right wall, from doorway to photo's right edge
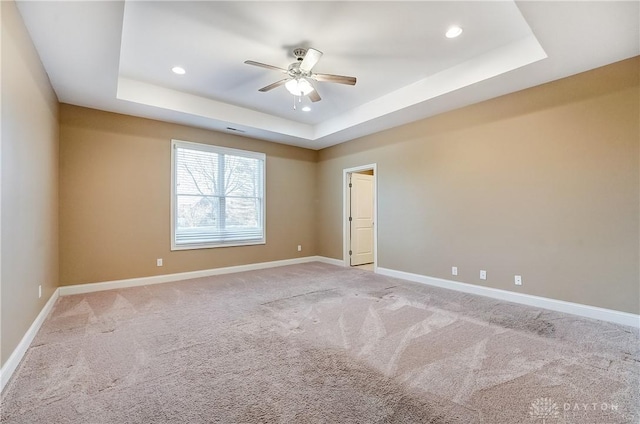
column 586, row 311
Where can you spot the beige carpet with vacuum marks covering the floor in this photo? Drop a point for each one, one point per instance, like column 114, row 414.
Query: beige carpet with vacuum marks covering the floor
column 316, row 343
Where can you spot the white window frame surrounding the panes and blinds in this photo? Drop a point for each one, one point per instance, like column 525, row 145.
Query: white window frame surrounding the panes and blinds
column 175, row 144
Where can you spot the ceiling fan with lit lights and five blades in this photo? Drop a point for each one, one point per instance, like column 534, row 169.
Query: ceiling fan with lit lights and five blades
column 300, row 72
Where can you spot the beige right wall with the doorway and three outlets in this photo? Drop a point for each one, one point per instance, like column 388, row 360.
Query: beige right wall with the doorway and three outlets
column 542, row 183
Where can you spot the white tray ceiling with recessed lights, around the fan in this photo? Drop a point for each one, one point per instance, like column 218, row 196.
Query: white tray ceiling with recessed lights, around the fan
column 117, row 56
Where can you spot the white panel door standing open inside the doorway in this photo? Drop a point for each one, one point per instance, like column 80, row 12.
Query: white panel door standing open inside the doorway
column 361, row 221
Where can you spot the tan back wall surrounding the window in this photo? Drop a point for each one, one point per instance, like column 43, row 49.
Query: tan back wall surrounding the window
column 115, row 180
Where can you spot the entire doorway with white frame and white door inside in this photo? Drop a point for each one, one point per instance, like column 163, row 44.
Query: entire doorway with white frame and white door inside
column 359, row 217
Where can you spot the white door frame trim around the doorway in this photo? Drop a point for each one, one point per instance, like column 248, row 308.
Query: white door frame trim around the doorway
column 346, row 235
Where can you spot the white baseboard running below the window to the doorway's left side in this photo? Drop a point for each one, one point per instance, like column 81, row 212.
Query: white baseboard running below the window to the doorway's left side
column 167, row 278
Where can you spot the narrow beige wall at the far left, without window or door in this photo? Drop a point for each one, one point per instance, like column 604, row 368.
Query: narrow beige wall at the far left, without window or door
column 29, row 188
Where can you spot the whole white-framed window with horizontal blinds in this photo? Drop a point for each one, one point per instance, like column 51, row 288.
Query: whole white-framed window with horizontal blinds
column 217, row 196
